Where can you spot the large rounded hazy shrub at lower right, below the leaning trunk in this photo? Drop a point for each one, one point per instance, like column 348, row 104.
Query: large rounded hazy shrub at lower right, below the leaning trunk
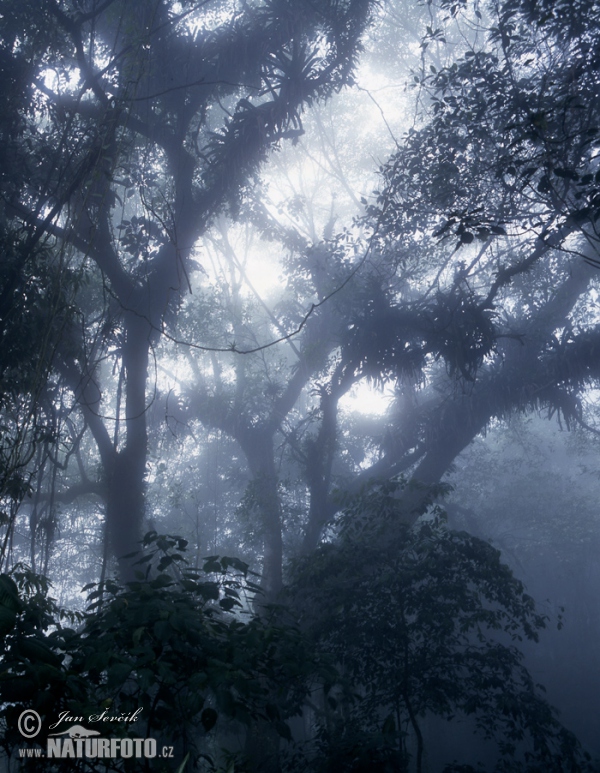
column 423, row 620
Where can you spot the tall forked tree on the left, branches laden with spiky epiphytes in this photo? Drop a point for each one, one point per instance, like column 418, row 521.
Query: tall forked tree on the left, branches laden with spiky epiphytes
column 143, row 122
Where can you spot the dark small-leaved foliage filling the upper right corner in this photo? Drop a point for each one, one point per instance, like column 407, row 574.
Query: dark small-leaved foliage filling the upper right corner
column 510, row 144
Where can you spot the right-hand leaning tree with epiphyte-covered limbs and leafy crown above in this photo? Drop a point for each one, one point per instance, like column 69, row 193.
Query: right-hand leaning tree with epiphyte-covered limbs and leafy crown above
column 470, row 292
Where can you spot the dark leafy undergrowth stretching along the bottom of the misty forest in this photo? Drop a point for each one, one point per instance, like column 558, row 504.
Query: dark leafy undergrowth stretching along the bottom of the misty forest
column 389, row 631
